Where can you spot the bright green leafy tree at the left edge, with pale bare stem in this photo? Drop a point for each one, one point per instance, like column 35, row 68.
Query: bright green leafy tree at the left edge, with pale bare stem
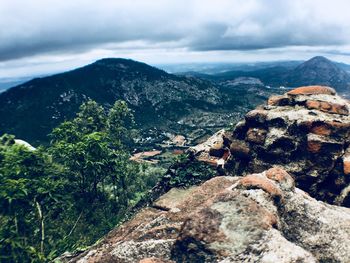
column 30, row 190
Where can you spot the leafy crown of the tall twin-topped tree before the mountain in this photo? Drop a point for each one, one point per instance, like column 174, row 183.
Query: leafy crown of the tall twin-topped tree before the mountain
column 92, row 148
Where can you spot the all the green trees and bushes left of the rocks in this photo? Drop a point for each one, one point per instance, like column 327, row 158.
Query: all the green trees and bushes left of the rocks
column 72, row 192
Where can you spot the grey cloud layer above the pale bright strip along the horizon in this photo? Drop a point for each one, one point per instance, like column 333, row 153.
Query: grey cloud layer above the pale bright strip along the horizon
column 38, row 27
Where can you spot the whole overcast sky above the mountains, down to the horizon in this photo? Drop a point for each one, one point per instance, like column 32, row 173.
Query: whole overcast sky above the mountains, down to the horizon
column 40, row 37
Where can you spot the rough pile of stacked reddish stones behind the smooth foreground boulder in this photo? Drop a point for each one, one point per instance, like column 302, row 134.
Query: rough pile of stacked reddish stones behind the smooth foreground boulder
column 307, row 132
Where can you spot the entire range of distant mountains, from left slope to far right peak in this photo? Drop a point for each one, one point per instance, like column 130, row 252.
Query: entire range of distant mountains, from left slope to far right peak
column 168, row 102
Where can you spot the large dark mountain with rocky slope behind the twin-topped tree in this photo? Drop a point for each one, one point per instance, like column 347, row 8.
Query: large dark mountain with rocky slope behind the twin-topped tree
column 32, row 109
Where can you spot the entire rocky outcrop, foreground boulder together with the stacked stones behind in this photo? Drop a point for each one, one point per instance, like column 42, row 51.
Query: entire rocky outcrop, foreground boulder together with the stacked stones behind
column 257, row 211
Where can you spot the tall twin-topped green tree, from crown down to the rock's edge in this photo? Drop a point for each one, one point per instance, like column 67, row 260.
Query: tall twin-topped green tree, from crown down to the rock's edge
column 92, row 149
